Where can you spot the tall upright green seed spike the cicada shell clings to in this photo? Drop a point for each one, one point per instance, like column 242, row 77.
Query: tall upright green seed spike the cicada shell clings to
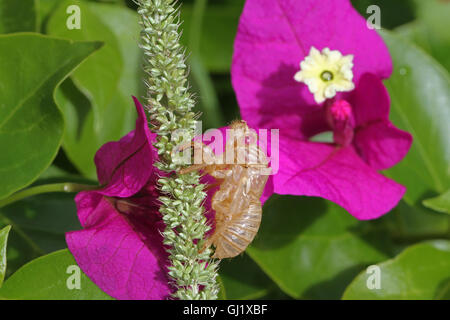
column 192, row 274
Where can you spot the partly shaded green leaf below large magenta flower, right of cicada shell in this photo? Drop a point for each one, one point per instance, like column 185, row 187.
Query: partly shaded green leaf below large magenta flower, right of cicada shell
column 312, row 248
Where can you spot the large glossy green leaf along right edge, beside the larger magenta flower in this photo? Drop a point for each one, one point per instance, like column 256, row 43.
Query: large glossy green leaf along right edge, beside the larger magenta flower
column 425, row 170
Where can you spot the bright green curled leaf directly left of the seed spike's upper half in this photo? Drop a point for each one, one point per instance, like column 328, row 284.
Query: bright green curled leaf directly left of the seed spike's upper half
column 96, row 102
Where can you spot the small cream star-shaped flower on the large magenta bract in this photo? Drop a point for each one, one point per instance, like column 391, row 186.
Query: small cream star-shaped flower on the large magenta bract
column 326, row 73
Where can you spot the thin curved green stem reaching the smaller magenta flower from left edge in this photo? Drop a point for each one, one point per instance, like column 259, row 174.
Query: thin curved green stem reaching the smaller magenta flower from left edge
column 45, row 188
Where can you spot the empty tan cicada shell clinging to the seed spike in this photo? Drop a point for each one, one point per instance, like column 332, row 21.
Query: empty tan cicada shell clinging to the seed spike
column 237, row 201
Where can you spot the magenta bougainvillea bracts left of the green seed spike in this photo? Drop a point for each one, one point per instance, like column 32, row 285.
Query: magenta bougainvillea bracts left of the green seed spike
column 120, row 247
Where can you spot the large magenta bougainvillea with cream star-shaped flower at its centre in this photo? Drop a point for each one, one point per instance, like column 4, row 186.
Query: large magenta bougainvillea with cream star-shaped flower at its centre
column 278, row 49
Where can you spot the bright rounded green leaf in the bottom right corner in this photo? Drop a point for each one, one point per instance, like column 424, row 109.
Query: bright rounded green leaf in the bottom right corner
column 420, row 272
